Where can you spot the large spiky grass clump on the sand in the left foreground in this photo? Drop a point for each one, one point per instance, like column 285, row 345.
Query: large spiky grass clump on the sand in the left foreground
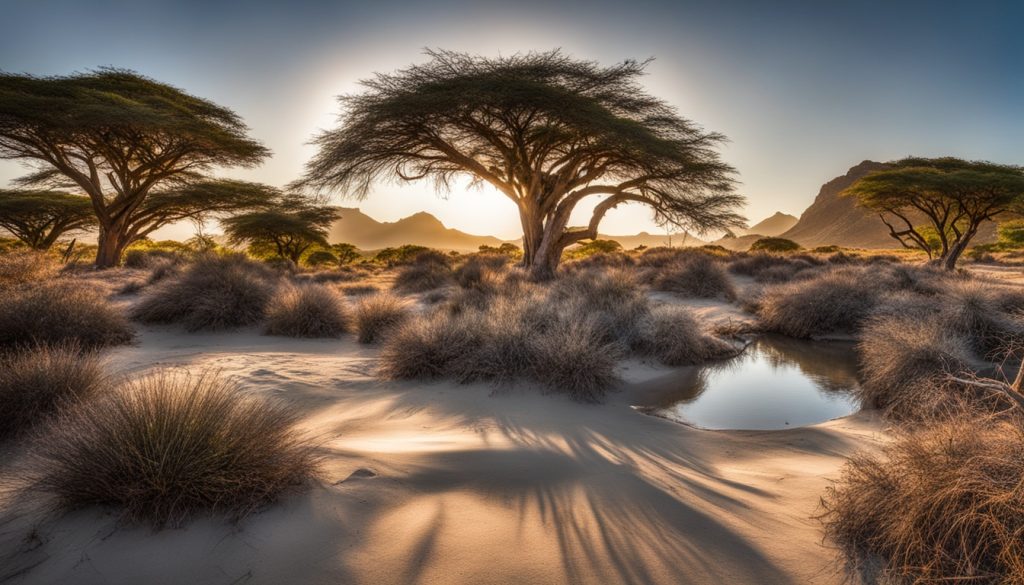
column 168, row 447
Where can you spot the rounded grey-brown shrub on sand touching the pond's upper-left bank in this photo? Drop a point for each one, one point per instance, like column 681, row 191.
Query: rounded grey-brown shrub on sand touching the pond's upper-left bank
column 674, row 338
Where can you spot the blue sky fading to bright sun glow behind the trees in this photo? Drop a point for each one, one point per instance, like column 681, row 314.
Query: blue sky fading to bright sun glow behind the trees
column 804, row 91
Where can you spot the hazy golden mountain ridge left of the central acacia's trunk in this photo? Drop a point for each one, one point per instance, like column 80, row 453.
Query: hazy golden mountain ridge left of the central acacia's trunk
column 421, row 229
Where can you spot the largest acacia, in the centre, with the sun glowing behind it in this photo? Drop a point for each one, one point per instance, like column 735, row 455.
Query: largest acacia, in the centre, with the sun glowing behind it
column 547, row 132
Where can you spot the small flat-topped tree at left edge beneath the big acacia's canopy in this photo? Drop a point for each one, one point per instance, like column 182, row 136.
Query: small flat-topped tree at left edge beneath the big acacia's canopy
column 39, row 219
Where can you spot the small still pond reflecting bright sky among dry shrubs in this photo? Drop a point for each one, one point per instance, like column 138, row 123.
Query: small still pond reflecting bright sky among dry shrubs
column 778, row 383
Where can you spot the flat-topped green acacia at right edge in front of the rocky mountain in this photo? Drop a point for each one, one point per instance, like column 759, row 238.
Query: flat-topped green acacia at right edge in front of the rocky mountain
column 954, row 196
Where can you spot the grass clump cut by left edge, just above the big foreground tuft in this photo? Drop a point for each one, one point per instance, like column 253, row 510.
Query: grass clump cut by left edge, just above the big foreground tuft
column 37, row 384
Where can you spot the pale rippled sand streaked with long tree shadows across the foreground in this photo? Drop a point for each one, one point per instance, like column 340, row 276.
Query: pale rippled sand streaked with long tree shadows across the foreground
column 464, row 484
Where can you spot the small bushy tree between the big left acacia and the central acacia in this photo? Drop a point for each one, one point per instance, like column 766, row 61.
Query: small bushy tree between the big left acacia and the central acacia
column 288, row 228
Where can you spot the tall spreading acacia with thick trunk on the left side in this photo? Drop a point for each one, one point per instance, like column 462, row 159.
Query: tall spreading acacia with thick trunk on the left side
column 120, row 138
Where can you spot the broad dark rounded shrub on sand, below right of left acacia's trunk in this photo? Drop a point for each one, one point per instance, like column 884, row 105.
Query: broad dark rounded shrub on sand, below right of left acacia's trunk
column 215, row 292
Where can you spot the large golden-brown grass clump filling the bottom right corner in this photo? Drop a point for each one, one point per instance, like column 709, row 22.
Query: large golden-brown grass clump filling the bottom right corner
column 941, row 505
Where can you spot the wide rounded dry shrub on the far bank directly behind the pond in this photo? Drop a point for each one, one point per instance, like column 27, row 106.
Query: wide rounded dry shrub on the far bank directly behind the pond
column 832, row 303
